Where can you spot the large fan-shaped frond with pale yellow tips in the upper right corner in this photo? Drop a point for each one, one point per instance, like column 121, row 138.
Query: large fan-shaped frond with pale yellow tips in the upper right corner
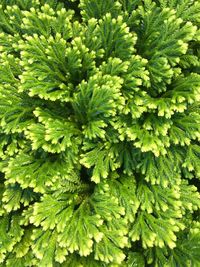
column 170, row 41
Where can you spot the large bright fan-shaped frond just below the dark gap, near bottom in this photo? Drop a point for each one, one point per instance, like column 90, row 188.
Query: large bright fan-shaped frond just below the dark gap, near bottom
column 77, row 228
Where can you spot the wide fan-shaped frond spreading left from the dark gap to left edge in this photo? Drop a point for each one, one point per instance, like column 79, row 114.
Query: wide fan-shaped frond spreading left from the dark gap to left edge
column 37, row 172
